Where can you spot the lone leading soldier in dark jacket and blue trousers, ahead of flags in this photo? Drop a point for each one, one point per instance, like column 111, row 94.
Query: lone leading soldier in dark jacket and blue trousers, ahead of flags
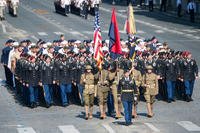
column 126, row 90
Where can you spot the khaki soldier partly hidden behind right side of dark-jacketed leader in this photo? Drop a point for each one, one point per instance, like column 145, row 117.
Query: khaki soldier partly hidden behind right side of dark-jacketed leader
column 137, row 77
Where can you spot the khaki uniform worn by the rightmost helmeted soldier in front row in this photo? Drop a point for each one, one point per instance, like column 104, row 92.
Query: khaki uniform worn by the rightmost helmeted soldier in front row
column 151, row 88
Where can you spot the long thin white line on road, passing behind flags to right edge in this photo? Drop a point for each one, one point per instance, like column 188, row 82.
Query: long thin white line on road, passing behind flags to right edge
column 154, row 26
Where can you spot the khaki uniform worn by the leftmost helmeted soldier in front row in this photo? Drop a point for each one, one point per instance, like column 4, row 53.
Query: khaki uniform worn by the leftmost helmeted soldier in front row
column 87, row 80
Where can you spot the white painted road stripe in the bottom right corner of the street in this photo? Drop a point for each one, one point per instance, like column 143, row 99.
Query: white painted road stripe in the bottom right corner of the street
column 189, row 126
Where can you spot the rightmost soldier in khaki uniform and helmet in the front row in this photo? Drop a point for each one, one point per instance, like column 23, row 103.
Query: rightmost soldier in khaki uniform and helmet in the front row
column 150, row 83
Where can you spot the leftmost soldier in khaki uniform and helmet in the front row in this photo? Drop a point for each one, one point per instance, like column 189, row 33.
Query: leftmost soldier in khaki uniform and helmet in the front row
column 87, row 80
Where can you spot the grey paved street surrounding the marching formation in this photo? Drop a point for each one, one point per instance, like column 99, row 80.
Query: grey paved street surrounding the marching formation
column 37, row 19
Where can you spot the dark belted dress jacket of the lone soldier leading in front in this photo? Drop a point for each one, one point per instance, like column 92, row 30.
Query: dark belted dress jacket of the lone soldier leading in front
column 126, row 89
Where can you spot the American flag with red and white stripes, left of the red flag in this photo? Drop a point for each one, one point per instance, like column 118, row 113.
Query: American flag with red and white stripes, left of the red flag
column 98, row 55
